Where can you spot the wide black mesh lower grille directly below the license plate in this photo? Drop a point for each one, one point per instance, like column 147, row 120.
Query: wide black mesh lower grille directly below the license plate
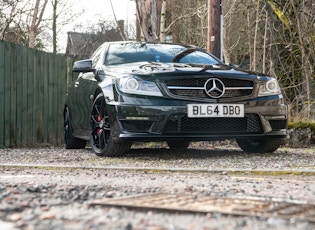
column 180, row 123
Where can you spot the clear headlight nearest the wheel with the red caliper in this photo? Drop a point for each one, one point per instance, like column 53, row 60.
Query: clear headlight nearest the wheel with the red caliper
column 134, row 85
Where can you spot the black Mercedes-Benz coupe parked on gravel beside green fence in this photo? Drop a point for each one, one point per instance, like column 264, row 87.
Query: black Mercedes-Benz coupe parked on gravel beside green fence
column 140, row 91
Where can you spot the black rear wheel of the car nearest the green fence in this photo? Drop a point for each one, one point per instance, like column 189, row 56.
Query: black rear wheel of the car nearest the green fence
column 71, row 142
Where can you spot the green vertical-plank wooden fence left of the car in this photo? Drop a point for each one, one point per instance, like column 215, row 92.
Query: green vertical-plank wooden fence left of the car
column 32, row 90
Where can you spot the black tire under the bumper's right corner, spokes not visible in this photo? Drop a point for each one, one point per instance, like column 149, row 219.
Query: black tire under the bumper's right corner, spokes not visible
column 259, row 145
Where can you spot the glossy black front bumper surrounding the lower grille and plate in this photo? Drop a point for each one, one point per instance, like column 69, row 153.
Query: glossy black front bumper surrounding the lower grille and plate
column 170, row 122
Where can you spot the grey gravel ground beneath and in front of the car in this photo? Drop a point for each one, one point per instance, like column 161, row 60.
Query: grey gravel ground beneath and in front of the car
column 52, row 188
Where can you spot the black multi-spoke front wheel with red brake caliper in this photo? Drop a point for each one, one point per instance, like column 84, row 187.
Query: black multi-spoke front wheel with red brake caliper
column 102, row 132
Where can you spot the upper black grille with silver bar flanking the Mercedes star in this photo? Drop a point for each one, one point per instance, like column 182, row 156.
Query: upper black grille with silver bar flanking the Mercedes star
column 194, row 87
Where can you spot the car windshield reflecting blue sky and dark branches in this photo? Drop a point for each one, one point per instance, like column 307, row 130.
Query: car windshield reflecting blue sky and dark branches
column 121, row 53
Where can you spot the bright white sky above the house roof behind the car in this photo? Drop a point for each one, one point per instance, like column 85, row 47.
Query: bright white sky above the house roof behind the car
column 94, row 10
